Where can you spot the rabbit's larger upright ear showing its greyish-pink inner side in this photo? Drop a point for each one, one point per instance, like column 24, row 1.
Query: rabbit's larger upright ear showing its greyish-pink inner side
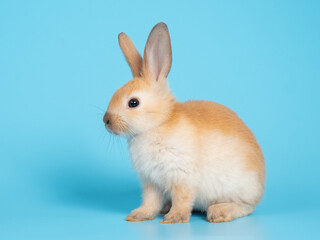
column 157, row 53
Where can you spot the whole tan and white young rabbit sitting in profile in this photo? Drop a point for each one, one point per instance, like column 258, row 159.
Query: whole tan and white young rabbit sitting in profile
column 196, row 155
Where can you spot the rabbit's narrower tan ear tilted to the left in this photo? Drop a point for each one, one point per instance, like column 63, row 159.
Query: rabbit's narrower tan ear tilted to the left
column 131, row 54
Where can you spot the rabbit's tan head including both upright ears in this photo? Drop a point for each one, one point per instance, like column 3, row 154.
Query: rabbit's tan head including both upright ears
column 145, row 101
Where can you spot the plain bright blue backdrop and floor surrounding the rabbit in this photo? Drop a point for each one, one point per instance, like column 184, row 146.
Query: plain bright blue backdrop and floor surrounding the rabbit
column 62, row 176
